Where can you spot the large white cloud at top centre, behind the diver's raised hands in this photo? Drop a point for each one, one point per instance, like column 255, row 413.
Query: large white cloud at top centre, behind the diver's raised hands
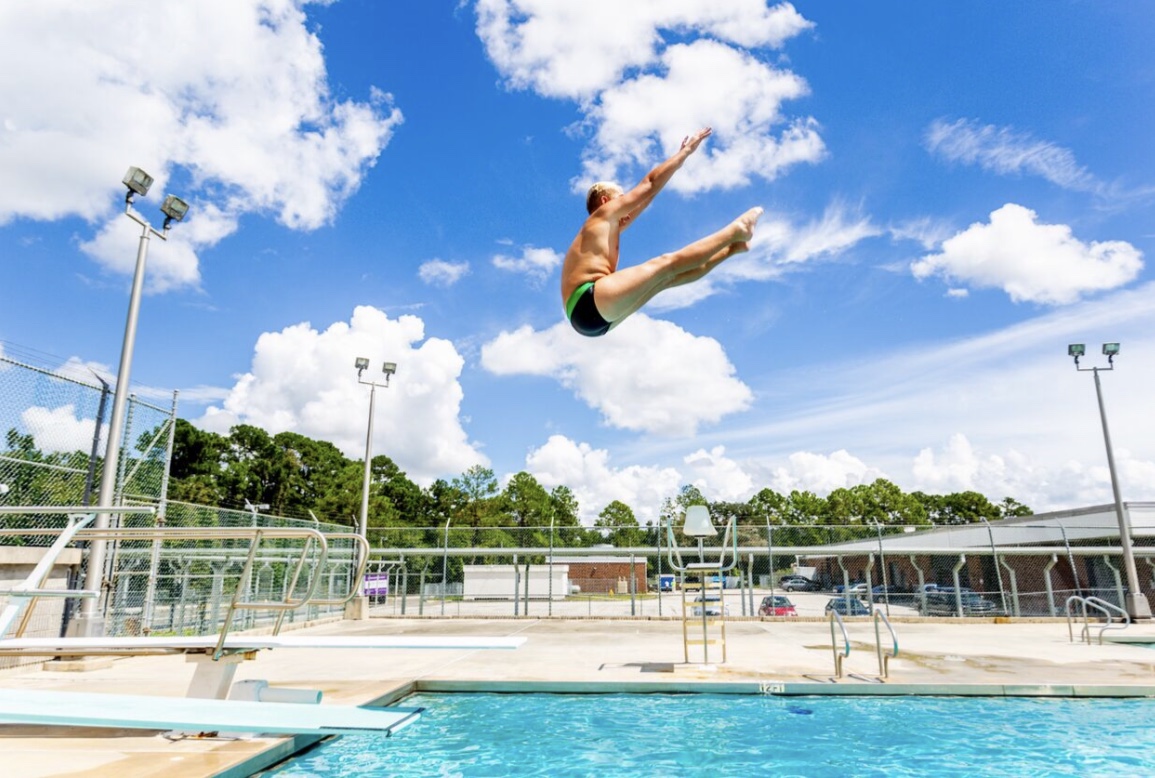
column 643, row 96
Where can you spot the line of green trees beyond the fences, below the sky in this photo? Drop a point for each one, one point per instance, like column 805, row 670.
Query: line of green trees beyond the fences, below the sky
column 303, row 478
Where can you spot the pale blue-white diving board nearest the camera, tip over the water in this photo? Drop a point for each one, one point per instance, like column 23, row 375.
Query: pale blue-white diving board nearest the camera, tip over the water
column 146, row 713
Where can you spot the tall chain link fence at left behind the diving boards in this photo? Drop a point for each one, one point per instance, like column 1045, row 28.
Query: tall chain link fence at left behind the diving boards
column 184, row 582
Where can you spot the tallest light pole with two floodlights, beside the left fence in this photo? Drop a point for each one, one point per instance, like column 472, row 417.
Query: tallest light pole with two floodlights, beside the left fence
column 175, row 210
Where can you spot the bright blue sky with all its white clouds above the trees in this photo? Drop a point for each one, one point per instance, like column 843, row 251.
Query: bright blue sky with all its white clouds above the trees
column 955, row 193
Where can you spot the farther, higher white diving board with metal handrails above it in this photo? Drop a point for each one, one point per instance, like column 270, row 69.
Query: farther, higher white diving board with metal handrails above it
column 79, row 646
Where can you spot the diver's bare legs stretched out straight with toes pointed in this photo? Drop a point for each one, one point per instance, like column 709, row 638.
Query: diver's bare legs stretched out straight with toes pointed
column 625, row 291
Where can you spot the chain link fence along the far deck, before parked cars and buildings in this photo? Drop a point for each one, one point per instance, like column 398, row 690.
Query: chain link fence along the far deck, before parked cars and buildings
column 979, row 571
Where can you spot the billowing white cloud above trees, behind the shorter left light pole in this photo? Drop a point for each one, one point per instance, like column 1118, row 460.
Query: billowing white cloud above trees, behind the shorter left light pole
column 303, row 380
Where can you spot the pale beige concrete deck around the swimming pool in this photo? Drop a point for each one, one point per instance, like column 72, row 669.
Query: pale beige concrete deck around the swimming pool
column 772, row 656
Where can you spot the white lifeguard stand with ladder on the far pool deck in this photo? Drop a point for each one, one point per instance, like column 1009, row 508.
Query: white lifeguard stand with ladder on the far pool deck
column 703, row 595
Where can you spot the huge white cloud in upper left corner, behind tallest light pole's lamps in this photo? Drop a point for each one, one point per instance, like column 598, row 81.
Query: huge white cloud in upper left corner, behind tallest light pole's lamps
column 244, row 125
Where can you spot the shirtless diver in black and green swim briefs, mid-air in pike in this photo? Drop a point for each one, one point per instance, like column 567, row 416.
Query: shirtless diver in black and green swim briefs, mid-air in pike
column 593, row 258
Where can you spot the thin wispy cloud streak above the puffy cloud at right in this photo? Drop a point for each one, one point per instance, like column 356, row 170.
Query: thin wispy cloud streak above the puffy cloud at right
column 1005, row 151
